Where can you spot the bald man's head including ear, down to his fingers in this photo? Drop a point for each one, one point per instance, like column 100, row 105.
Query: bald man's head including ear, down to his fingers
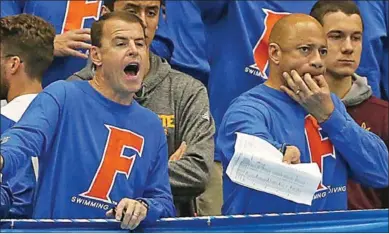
column 297, row 42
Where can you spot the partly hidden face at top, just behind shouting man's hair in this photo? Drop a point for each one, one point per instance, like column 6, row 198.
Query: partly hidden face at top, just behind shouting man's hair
column 148, row 11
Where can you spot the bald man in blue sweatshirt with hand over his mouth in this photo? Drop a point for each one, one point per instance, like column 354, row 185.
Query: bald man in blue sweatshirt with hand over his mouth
column 297, row 112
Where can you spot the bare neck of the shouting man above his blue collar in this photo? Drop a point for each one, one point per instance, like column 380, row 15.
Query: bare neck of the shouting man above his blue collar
column 101, row 86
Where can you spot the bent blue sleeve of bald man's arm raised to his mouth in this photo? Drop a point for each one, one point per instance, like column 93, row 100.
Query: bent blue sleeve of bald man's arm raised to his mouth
column 365, row 152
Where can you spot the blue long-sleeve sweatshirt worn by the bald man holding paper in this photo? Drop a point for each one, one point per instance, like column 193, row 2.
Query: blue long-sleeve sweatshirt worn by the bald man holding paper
column 340, row 147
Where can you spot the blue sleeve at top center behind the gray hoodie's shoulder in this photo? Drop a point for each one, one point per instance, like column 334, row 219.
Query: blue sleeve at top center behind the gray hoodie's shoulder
column 188, row 35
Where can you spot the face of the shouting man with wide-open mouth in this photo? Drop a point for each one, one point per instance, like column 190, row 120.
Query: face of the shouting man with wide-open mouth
column 123, row 55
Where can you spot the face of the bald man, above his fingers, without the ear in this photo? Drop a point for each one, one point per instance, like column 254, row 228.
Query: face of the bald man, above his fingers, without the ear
column 304, row 50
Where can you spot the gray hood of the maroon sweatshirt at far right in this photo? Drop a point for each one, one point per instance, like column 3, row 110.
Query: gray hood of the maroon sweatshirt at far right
column 359, row 92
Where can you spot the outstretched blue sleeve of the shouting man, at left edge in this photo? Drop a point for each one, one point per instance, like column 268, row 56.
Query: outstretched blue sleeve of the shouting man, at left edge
column 33, row 133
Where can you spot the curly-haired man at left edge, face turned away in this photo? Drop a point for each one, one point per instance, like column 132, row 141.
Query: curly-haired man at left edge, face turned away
column 26, row 51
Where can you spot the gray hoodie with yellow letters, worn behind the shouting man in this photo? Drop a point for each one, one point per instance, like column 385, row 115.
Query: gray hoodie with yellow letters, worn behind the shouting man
column 182, row 104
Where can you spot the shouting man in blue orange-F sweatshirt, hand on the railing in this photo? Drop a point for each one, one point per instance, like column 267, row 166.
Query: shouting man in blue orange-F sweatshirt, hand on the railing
column 95, row 132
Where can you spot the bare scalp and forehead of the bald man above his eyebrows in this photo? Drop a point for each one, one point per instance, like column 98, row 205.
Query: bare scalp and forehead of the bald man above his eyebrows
column 295, row 25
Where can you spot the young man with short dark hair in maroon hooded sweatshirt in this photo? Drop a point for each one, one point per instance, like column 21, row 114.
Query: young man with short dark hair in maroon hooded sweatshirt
column 343, row 27
